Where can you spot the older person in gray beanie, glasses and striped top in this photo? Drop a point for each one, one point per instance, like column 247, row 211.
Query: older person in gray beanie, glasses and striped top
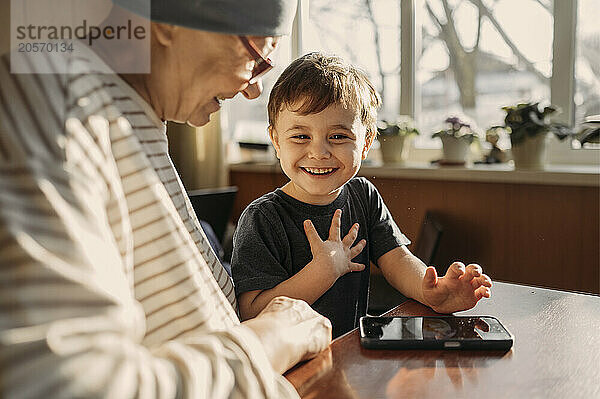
column 109, row 287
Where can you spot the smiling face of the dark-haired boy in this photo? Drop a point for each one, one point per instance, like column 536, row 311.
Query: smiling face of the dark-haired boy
column 319, row 152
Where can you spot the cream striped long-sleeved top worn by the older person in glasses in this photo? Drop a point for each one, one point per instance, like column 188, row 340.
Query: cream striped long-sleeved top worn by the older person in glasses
column 108, row 284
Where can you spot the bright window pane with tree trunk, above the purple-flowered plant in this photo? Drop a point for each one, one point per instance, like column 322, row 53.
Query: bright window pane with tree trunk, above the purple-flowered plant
column 480, row 56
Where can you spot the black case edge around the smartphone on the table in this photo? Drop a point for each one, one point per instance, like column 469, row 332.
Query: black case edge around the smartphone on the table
column 446, row 344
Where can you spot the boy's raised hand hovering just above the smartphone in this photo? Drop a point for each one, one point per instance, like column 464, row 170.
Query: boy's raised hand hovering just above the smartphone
column 460, row 289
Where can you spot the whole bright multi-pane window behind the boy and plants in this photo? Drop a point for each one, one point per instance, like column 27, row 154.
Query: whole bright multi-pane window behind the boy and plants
column 471, row 57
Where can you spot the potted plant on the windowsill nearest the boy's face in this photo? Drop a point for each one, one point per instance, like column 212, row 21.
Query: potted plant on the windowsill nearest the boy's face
column 394, row 138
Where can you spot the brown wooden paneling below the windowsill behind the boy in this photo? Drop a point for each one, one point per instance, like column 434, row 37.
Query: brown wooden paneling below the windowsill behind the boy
column 544, row 235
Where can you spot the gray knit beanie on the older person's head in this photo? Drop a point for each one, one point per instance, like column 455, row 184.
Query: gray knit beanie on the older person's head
column 240, row 17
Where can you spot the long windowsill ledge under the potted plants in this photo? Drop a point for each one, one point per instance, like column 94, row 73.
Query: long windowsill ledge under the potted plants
column 566, row 175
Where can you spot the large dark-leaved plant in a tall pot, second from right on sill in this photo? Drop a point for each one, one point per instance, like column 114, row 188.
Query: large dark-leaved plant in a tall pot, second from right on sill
column 528, row 126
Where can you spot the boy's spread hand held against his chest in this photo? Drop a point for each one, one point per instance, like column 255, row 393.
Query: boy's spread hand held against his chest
column 335, row 254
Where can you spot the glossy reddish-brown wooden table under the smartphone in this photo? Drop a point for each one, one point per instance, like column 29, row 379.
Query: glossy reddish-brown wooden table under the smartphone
column 556, row 354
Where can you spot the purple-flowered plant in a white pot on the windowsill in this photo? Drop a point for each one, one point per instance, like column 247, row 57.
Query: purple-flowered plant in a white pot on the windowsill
column 456, row 140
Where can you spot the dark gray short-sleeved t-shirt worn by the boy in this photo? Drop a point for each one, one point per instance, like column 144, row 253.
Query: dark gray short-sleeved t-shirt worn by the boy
column 270, row 246
